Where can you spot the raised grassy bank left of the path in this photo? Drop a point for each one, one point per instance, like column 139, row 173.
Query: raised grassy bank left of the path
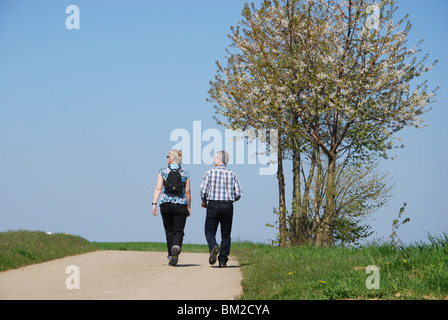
column 21, row 248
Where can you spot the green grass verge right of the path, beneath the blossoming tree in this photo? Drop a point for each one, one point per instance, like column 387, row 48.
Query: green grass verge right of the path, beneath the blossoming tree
column 419, row 271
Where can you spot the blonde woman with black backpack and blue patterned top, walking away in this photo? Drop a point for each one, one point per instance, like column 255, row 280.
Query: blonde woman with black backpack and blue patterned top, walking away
column 173, row 182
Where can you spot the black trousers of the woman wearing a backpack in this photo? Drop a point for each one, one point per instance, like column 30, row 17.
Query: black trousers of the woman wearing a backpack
column 174, row 218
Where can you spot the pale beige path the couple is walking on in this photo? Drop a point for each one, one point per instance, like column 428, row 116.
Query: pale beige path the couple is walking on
column 124, row 275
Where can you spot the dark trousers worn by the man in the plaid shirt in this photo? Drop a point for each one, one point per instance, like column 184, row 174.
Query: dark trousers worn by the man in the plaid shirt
column 219, row 213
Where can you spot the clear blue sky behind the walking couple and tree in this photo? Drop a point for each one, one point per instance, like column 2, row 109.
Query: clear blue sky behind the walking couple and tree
column 86, row 117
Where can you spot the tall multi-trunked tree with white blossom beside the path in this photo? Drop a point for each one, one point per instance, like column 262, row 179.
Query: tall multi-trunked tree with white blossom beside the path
column 338, row 81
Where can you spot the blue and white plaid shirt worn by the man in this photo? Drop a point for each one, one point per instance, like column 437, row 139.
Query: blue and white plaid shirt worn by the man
column 222, row 184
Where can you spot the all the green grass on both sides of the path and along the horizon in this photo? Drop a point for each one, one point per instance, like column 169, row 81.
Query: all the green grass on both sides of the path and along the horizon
column 418, row 271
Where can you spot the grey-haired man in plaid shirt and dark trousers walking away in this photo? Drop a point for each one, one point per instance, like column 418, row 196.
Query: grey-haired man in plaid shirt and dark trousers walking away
column 219, row 189
